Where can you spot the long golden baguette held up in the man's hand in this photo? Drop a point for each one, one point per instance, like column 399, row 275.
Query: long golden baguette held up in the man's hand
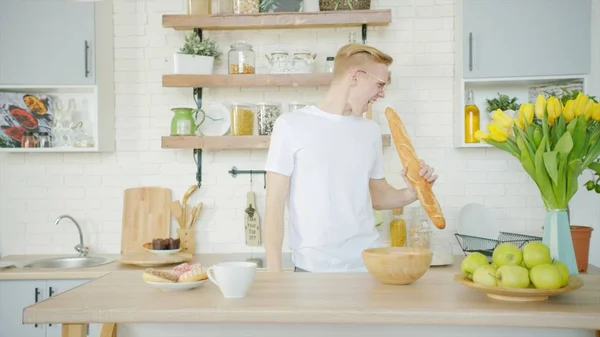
column 409, row 159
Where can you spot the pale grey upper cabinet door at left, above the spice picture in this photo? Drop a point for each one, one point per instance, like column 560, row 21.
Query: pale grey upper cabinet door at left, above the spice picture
column 47, row 42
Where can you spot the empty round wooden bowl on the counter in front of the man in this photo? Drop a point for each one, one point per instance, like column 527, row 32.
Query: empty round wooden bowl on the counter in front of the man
column 397, row 265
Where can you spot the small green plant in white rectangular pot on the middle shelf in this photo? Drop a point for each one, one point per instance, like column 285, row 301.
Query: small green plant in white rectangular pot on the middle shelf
column 196, row 56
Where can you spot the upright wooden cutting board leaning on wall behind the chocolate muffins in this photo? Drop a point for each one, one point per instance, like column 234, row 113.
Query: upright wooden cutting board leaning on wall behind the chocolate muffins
column 146, row 216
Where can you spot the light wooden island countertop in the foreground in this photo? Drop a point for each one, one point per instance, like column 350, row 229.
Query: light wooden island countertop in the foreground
column 342, row 298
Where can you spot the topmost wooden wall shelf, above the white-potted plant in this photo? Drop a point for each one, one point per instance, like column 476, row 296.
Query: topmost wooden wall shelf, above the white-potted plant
column 281, row 20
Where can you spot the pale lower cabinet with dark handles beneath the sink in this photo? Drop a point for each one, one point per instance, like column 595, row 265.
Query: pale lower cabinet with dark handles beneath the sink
column 15, row 295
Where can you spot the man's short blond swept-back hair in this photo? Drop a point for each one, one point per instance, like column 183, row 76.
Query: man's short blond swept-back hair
column 356, row 55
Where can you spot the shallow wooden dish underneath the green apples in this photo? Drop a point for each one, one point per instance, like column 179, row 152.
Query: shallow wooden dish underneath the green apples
column 520, row 295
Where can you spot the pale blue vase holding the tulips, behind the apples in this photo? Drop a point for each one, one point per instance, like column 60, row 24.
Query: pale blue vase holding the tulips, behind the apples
column 557, row 236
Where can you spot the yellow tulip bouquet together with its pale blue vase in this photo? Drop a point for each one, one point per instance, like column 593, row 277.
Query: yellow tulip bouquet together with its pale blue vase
column 555, row 141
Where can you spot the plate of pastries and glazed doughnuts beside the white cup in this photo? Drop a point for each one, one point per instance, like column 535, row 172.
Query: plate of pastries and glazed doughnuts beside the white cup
column 184, row 276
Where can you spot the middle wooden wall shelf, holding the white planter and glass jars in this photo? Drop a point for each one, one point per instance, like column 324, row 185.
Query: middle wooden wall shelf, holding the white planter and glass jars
column 249, row 80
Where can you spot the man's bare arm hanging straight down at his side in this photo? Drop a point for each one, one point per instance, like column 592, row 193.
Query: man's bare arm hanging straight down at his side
column 278, row 186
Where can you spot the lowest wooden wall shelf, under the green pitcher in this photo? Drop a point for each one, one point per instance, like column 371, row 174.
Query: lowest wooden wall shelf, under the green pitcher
column 227, row 142
